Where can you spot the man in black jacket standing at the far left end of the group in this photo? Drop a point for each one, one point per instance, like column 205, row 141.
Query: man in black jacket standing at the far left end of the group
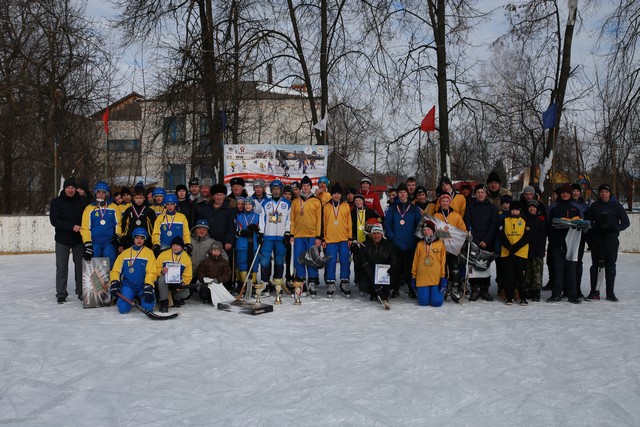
column 66, row 217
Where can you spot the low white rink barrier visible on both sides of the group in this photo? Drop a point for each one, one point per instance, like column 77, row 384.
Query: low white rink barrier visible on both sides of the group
column 21, row 233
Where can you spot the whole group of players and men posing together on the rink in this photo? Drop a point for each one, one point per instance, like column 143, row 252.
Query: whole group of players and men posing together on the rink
column 160, row 244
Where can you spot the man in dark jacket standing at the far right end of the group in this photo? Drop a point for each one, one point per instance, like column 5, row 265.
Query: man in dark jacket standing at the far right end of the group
column 609, row 219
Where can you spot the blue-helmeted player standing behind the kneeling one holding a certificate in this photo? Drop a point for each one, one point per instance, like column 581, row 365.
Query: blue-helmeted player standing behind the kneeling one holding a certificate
column 170, row 224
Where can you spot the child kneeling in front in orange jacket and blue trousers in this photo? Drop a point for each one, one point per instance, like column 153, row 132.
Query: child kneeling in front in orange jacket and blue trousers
column 428, row 270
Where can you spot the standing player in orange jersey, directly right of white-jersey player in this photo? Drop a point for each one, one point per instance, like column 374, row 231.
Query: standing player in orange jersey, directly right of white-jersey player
column 306, row 229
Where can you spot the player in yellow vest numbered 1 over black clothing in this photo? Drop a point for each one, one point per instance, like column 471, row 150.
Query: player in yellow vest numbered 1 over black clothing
column 514, row 235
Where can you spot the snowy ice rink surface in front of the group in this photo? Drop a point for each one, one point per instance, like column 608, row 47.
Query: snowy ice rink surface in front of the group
column 326, row 362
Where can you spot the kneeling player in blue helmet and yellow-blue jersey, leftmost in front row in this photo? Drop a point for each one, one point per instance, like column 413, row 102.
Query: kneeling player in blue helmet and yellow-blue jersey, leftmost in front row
column 134, row 273
